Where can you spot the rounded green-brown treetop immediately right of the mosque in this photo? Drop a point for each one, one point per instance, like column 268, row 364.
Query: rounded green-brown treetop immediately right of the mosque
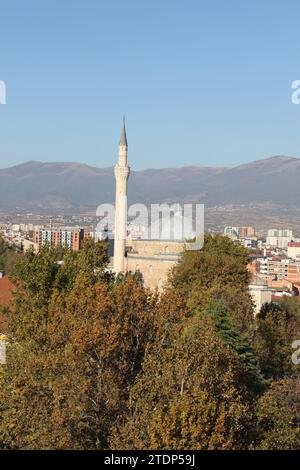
column 218, row 271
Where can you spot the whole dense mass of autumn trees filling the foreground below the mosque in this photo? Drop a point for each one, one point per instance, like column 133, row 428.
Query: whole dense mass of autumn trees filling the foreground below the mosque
column 97, row 362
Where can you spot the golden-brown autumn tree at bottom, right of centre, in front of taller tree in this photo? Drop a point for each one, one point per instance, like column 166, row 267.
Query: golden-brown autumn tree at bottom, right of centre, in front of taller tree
column 187, row 395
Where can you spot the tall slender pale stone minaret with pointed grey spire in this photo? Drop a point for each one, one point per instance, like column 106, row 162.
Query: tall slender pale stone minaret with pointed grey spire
column 121, row 174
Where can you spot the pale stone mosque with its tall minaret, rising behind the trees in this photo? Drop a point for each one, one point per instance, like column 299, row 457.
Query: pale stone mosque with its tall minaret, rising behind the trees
column 153, row 258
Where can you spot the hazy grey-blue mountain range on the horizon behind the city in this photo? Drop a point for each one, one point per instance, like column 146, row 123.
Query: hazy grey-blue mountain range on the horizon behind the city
column 68, row 187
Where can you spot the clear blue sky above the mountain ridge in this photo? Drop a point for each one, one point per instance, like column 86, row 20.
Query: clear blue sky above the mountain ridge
column 201, row 82
